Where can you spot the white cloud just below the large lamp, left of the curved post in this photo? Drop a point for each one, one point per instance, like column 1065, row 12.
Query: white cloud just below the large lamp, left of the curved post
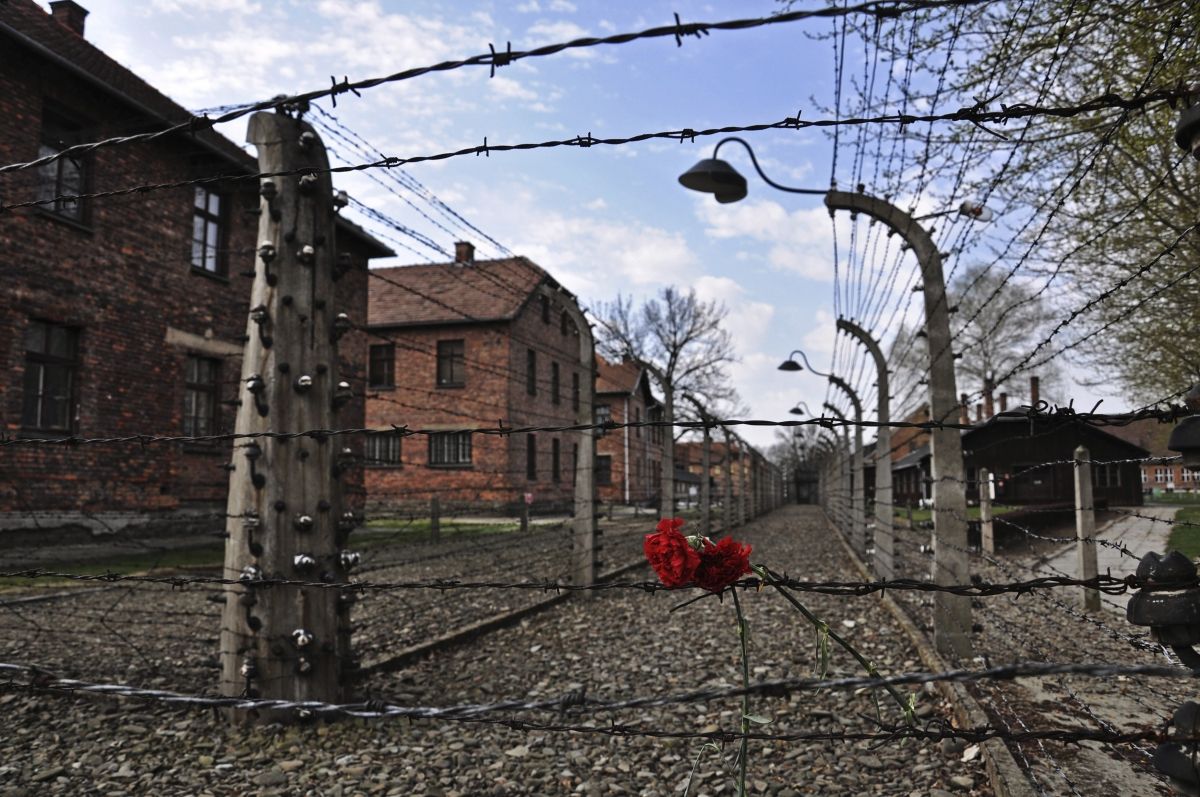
column 800, row 241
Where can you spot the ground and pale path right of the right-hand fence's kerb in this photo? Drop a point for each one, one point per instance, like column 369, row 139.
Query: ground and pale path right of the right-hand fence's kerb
column 1051, row 626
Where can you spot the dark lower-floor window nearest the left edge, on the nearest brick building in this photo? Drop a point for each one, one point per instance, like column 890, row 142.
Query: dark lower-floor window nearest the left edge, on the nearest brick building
column 51, row 369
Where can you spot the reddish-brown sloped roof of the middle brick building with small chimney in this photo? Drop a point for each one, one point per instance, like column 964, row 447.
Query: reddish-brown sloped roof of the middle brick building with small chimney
column 449, row 293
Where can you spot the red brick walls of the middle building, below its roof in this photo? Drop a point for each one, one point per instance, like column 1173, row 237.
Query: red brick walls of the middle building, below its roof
column 495, row 391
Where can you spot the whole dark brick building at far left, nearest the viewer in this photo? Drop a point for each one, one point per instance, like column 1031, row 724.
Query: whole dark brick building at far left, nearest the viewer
column 122, row 315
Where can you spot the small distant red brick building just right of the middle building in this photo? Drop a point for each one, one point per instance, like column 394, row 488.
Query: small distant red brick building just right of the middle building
column 629, row 460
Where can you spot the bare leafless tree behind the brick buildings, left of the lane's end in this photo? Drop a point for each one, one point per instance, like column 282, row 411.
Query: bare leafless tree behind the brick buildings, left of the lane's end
column 681, row 343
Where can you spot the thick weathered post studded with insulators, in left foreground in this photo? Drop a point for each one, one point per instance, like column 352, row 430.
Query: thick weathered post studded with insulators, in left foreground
column 286, row 516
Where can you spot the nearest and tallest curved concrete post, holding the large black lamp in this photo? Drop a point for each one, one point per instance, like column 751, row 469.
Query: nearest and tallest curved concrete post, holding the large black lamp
column 952, row 614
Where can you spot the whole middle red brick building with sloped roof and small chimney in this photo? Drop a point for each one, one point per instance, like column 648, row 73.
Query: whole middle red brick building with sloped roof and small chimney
column 469, row 345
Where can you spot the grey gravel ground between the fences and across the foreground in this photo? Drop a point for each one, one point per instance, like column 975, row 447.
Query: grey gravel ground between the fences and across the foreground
column 616, row 644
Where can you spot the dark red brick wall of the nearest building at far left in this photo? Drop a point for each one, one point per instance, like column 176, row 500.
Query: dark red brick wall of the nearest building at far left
column 124, row 280
